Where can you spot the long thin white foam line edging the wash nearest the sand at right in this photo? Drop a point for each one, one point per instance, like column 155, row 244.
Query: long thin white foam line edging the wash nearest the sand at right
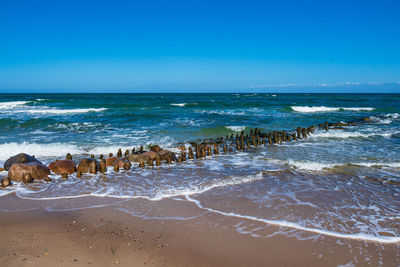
column 293, row 225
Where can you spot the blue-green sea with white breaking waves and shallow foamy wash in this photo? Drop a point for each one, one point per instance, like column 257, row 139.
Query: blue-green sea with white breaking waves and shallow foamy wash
column 342, row 183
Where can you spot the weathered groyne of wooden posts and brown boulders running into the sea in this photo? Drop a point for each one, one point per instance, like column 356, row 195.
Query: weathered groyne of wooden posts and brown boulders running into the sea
column 26, row 168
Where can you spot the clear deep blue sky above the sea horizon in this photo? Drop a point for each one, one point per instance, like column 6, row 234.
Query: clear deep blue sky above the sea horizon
column 198, row 46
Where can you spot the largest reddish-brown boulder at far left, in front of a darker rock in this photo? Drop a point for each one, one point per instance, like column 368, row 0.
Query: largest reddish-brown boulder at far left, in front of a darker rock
column 35, row 169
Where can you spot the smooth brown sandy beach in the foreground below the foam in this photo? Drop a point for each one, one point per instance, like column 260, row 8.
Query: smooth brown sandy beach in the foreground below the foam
column 106, row 236
